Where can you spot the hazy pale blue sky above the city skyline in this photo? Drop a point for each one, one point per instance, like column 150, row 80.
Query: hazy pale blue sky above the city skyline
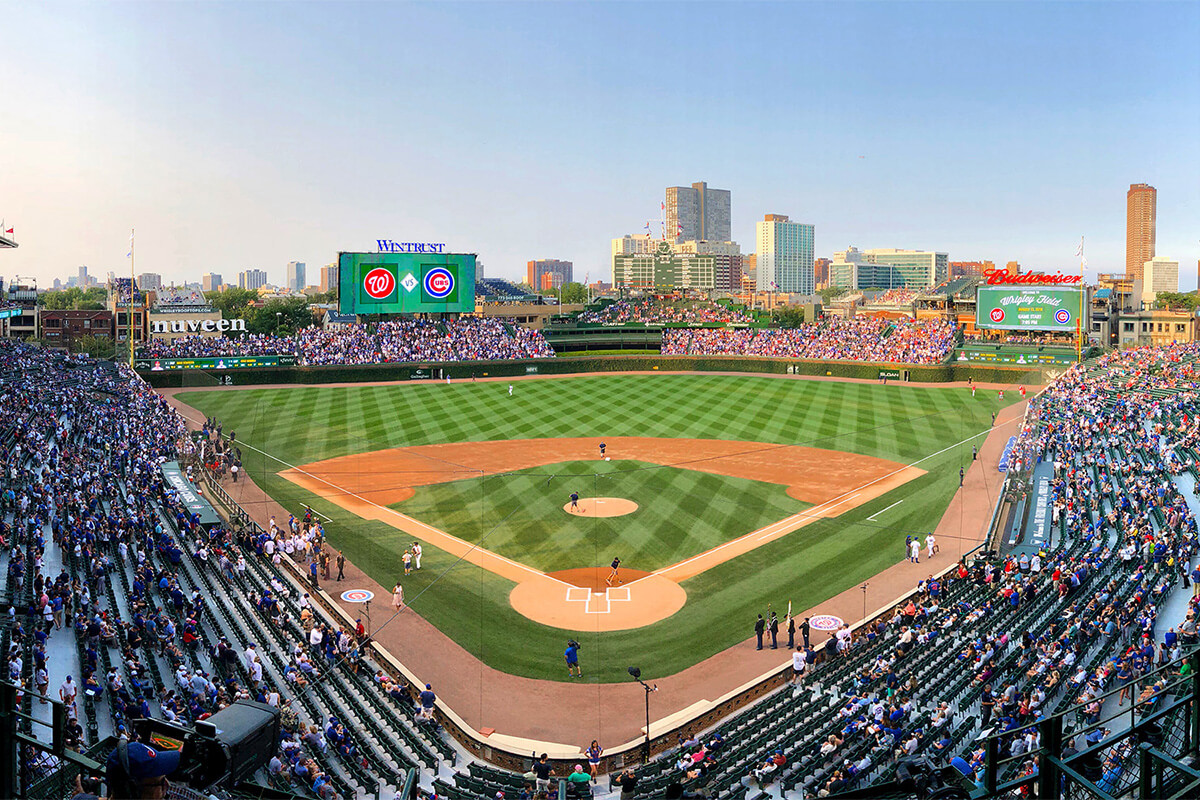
column 238, row 136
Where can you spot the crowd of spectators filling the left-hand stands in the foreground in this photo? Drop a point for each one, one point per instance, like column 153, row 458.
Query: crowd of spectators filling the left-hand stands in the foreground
column 140, row 588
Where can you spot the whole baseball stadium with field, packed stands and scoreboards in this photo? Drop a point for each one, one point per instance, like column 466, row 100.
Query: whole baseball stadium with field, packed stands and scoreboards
column 925, row 544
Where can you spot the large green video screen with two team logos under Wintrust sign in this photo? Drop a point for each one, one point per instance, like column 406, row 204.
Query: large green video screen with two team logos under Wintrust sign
column 406, row 284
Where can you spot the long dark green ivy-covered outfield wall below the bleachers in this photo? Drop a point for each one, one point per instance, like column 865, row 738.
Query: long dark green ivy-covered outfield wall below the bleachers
column 584, row 364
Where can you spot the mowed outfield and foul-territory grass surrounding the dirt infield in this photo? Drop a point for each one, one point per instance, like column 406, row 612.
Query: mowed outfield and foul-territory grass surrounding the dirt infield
column 903, row 424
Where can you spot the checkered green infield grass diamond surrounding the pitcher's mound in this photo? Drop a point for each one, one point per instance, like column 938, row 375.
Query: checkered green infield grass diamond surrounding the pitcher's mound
column 681, row 513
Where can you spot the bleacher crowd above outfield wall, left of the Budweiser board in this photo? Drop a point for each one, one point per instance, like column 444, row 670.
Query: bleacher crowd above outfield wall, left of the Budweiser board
column 862, row 339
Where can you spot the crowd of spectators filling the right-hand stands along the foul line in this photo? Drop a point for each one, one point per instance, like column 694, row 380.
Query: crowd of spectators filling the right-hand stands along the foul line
column 999, row 642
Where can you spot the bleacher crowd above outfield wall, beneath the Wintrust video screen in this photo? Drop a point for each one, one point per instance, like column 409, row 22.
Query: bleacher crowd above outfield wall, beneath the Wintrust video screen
column 467, row 339
